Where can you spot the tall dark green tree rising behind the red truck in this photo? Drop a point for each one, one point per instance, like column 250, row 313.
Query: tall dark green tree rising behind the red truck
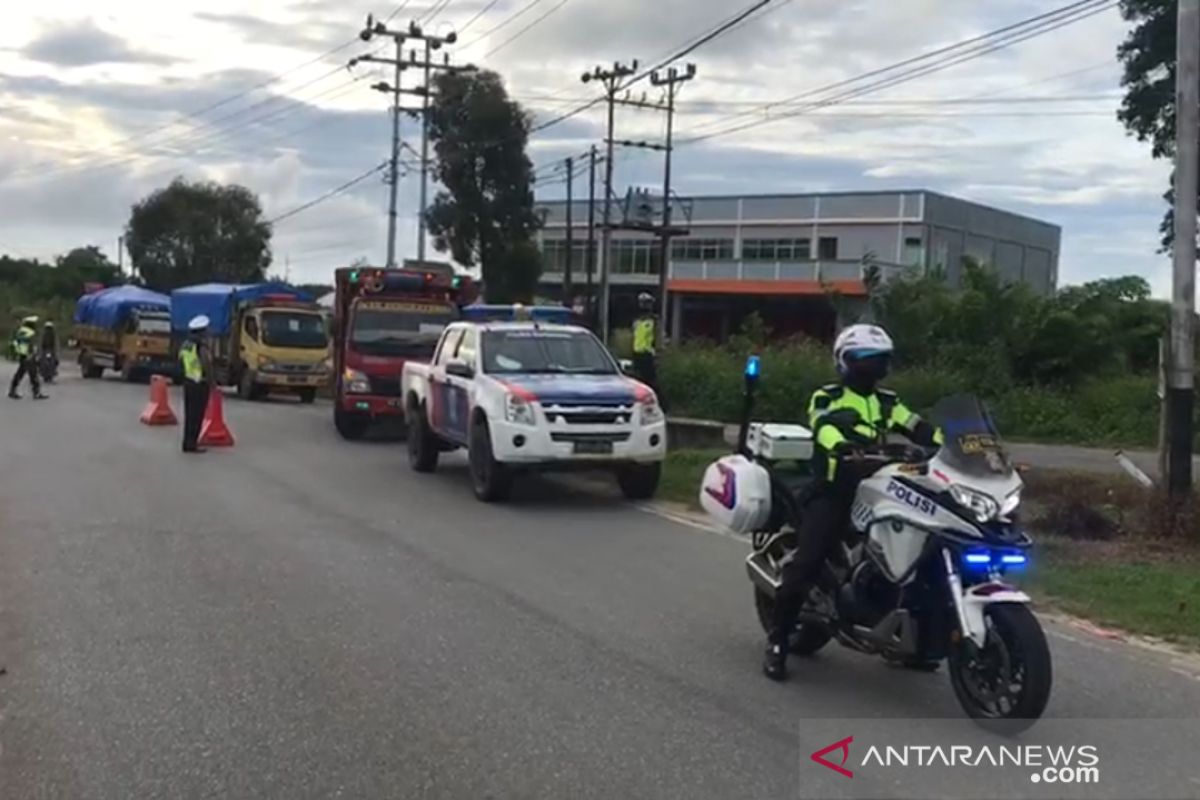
column 485, row 214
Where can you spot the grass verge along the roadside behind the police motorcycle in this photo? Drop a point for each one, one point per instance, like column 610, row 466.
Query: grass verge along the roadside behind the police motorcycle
column 1126, row 578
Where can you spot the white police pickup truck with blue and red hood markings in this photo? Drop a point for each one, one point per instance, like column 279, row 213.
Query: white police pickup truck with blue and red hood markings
column 532, row 396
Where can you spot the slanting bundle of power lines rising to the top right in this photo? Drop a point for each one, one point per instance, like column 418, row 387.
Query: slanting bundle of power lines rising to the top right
column 1041, row 29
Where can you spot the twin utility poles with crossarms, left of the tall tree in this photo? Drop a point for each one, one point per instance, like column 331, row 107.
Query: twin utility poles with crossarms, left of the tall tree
column 397, row 91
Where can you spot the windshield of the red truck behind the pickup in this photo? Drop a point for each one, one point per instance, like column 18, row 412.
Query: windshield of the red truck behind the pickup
column 394, row 329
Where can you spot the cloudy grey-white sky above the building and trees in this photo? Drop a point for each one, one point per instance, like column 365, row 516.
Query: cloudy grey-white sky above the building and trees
column 106, row 101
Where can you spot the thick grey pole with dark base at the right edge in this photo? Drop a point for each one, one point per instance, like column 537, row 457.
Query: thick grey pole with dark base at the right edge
column 1181, row 386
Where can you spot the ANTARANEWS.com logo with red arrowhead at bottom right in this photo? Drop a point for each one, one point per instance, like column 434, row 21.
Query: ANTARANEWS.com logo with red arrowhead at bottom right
column 1048, row 765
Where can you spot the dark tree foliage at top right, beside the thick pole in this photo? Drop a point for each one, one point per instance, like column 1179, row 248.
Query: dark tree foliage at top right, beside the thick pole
column 1148, row 110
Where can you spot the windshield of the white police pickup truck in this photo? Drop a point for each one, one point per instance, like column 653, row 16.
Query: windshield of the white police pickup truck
column 545, row 352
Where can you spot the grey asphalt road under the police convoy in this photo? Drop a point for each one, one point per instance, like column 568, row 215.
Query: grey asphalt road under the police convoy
column 301, row 617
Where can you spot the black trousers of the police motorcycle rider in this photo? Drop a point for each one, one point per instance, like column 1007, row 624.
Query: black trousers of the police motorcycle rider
column 825, row 518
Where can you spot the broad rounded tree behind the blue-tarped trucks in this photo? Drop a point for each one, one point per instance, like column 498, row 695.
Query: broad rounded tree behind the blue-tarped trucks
column 190, row 233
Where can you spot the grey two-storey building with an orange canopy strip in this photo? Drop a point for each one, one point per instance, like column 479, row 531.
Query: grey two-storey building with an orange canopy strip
column 782, row 255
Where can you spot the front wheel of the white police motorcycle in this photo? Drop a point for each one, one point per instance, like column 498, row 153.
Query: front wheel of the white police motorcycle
column 1005, row 685
